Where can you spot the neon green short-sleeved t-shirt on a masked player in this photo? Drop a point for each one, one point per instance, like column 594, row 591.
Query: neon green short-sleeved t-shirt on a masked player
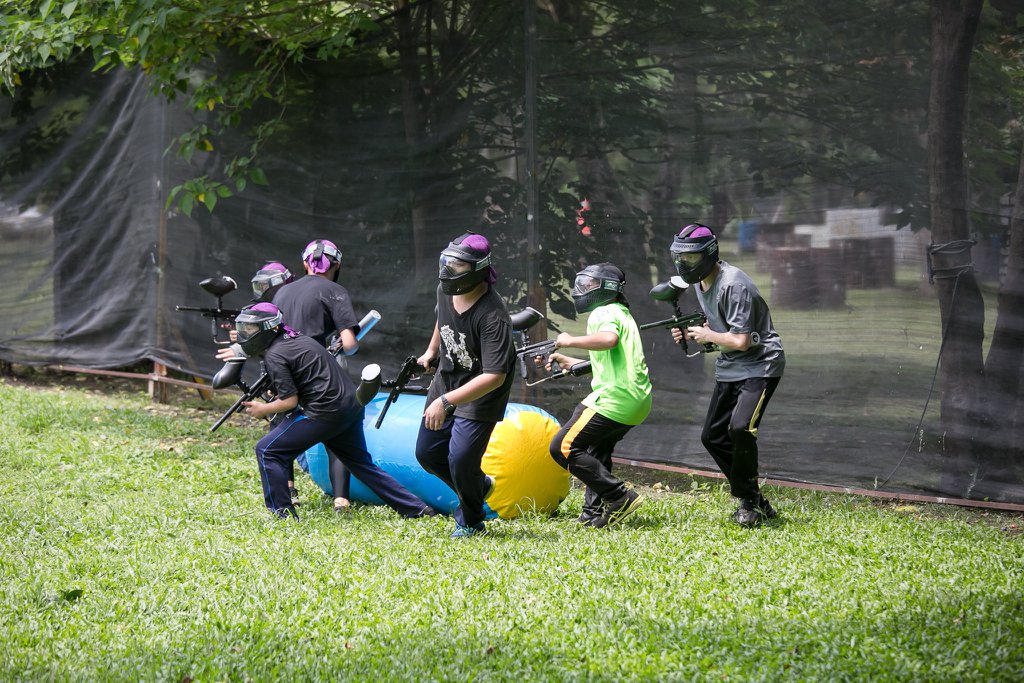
column 621, row 383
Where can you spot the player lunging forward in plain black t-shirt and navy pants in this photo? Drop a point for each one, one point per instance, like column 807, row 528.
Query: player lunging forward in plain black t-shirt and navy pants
column 303, row 373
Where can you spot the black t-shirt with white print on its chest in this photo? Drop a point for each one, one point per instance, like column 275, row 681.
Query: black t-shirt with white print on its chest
column 476, row 343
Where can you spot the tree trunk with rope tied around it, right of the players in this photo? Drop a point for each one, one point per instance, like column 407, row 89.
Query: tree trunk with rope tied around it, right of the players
column 954, row 26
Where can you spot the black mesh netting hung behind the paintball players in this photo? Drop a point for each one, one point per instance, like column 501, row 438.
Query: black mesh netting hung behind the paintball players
column 806, row 177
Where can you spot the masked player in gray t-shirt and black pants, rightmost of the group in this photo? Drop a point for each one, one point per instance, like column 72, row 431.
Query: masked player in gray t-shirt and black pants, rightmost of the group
column 747, row 372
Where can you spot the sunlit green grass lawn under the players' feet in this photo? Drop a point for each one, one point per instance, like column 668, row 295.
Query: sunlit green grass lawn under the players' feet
column 136, row 547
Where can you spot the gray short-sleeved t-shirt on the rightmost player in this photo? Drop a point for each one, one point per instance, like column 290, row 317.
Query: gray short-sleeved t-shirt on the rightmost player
column 735, row 305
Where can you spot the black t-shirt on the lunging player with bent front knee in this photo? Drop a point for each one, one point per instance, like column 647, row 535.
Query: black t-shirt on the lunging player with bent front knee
column 298, row 366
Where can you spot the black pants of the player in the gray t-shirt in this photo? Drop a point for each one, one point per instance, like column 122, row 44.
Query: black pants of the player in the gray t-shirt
column 731, row 432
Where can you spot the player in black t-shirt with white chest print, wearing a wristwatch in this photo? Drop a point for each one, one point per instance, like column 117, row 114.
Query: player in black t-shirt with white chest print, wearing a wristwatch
column 473, row 345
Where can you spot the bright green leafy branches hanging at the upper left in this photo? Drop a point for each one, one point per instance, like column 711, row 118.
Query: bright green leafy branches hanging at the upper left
column 176, row 42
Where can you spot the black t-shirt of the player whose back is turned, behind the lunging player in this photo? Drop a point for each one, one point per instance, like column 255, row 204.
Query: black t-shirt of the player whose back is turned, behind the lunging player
column 316, row 307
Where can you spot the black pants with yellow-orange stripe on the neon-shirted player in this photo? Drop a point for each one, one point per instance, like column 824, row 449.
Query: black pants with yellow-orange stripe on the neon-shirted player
column 584, row 447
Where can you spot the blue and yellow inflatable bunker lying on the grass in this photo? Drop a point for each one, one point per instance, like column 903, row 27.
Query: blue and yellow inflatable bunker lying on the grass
column 526, row 477
